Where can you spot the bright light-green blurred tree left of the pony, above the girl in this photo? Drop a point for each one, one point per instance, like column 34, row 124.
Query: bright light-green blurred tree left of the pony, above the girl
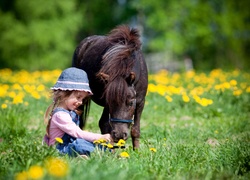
column 37, row 34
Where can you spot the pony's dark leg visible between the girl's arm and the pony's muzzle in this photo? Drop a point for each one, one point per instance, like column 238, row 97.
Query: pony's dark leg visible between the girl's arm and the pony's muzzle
column 104, row 122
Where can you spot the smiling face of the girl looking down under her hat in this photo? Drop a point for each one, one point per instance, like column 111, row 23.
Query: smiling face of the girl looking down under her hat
column 74, row 100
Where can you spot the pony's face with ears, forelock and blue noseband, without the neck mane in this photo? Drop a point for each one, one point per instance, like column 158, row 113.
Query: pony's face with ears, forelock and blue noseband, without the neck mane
column 121, row 101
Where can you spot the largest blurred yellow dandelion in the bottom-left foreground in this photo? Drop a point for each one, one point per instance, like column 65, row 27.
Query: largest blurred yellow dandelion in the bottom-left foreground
column 57, row 167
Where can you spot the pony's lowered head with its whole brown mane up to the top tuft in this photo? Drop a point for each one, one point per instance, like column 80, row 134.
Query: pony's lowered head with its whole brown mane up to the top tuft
column 117, row 72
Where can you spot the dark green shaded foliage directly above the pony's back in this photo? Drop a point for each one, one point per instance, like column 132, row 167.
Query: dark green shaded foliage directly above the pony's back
column 102, row 16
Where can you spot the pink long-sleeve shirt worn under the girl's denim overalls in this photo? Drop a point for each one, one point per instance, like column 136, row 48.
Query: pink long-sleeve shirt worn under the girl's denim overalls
column 61, row 122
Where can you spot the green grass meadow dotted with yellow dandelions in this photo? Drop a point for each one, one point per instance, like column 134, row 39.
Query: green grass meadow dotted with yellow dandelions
column 204, row 136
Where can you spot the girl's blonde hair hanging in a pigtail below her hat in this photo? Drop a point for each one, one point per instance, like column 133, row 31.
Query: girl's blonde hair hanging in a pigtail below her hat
column 58, row 96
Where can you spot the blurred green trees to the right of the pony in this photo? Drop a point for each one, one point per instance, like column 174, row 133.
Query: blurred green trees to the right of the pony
column 213, row 33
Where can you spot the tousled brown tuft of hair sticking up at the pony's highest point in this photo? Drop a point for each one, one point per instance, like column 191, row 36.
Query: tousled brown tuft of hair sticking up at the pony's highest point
column 124, row 35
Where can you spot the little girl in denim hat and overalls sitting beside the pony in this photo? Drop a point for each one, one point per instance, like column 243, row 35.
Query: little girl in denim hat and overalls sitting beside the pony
column 71, row 88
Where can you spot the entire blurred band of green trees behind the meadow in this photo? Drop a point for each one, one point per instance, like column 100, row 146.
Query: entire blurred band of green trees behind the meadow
column 43, row 34
